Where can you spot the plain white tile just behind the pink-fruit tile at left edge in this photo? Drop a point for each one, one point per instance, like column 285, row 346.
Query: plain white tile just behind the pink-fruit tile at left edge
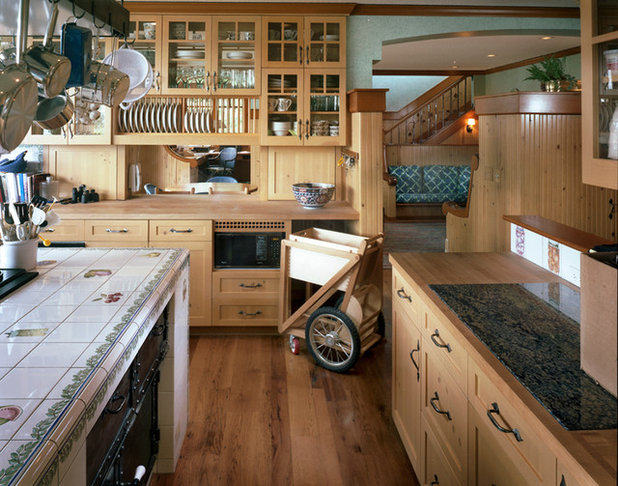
column 29, row 382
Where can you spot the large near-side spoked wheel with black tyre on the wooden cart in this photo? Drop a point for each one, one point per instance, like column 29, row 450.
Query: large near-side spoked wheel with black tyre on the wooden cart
column 332, row 339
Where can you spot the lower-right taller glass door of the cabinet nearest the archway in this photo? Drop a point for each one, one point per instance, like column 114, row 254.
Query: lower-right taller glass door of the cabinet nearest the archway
column 324, row 100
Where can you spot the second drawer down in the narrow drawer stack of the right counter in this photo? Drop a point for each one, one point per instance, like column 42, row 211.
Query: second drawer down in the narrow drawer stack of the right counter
column 445, row 408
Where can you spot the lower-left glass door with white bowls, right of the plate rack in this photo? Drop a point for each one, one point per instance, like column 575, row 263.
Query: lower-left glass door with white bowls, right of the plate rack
column 283, row 106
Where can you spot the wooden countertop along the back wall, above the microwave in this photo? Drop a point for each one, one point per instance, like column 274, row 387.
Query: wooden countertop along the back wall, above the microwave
column 204, row 207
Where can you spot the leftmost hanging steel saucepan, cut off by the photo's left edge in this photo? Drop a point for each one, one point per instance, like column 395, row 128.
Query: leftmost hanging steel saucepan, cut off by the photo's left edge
column 18, row 92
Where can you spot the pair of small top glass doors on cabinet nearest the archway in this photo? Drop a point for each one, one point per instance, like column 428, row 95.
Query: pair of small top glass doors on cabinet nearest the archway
column 303, row 42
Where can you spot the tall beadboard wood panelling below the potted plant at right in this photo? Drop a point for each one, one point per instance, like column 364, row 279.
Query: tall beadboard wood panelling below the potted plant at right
column 530, row 164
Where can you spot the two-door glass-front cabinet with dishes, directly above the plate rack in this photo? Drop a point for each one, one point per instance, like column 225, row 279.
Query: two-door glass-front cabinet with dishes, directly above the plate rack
column 211, row 55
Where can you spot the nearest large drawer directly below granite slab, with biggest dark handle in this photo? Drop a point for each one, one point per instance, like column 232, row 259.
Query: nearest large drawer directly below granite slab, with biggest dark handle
column 529, row 454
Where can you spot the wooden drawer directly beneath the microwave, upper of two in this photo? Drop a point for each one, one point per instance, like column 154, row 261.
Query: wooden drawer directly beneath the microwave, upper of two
column 261, row 284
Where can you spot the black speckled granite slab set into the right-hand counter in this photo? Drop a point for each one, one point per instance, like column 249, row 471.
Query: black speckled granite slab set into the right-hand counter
column 538, row 343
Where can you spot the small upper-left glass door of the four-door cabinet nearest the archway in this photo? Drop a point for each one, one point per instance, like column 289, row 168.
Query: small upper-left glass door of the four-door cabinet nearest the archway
column 283, row 42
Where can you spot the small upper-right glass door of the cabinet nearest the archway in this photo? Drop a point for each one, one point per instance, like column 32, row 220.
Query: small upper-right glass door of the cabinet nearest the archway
column 324, row 41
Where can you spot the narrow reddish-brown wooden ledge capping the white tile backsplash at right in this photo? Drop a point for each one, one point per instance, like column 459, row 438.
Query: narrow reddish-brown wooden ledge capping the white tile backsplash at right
column 574, row 238
